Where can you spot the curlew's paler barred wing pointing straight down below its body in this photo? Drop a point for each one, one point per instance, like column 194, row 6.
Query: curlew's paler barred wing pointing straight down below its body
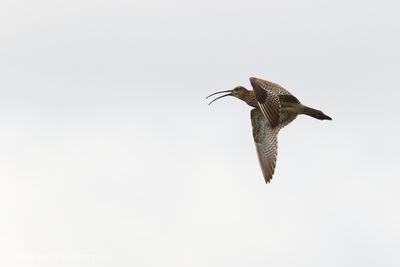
column 266, row 140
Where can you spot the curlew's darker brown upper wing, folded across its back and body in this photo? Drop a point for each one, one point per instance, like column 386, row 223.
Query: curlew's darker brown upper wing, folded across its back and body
column 267, row 95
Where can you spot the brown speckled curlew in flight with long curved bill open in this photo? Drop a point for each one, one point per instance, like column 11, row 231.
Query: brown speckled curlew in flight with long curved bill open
column 273, row 108
